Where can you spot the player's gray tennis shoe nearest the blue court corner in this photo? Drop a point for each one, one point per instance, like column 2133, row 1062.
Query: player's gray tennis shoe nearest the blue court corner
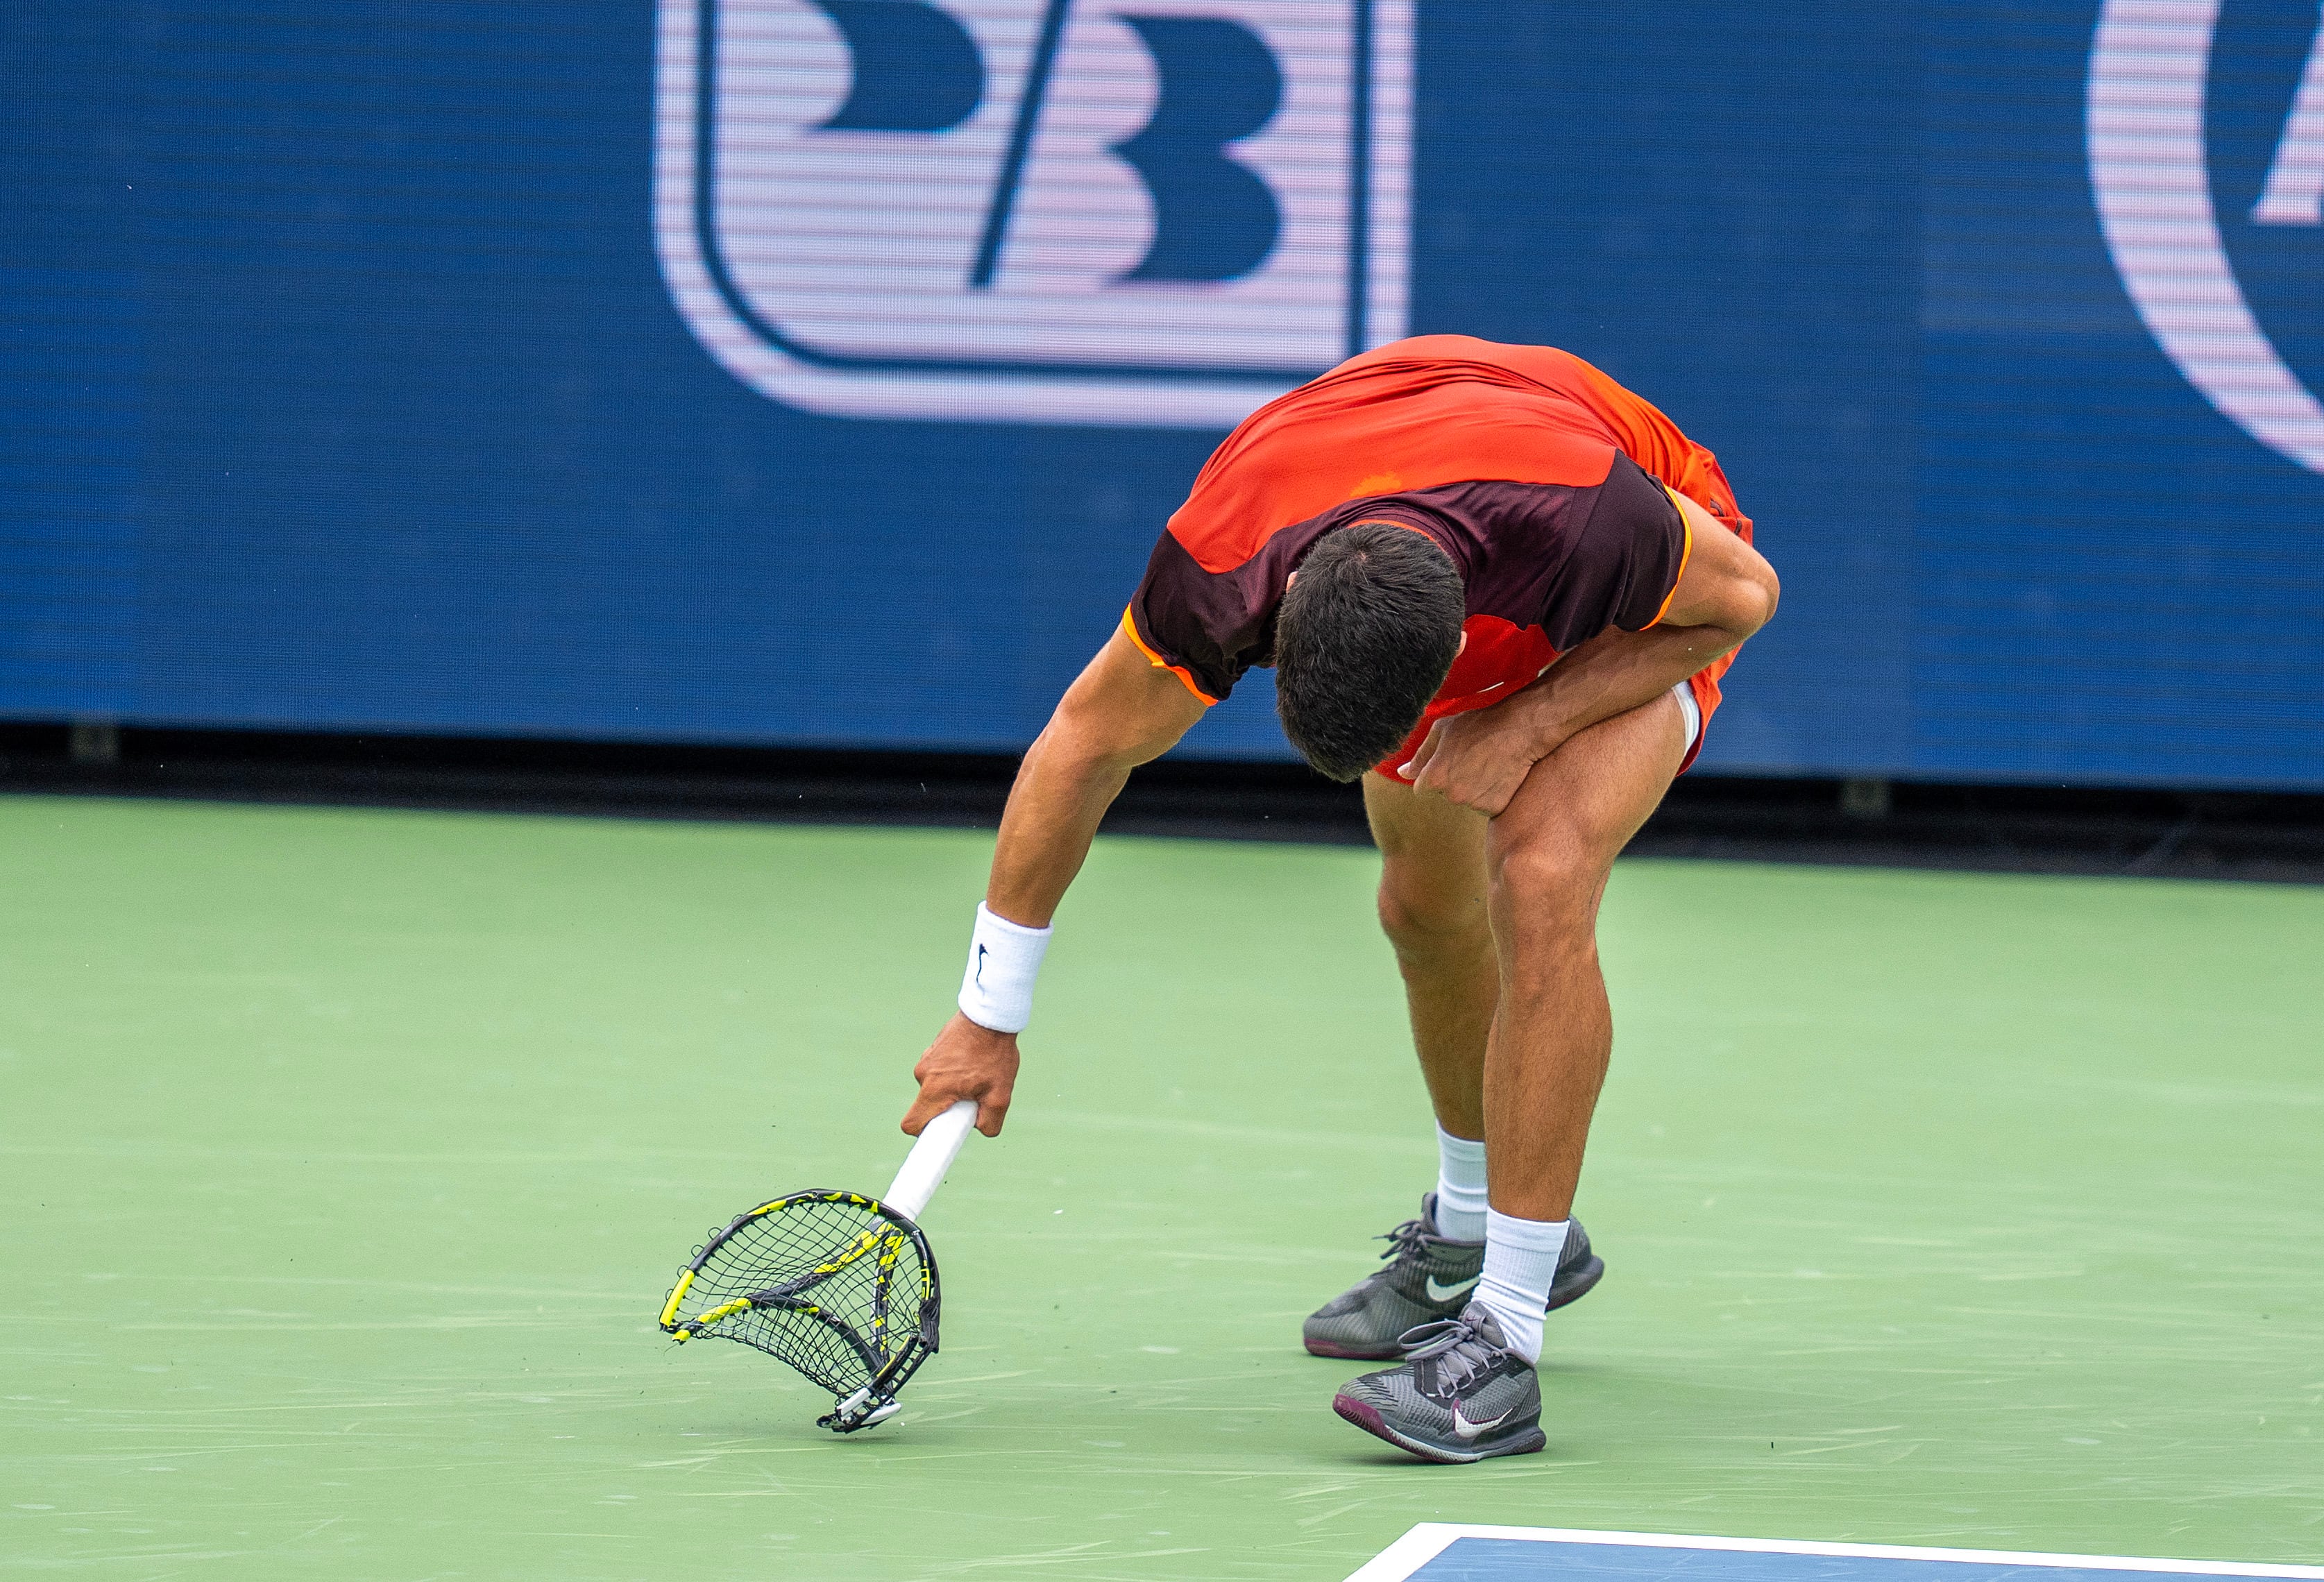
column 1461, row 1395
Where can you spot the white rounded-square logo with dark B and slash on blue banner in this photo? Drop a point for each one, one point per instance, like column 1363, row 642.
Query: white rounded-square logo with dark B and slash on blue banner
column 1149, row 213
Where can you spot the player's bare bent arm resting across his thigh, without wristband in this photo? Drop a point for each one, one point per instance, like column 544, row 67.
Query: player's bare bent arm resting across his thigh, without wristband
column 1723, row 596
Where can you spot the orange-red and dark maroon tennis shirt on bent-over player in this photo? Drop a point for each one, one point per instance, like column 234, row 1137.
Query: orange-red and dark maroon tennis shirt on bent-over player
column 1547, row 482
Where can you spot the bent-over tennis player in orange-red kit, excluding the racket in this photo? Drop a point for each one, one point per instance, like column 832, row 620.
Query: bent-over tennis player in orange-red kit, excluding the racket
column 1502, row 591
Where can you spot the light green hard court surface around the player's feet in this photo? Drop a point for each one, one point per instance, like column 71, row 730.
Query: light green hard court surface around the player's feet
column 347, row 1160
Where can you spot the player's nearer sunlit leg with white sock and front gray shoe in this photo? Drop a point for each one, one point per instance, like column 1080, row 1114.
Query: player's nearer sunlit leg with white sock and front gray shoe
column 1468, row 1388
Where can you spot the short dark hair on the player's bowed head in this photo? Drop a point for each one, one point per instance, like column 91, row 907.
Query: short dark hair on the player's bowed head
column 1363, row 640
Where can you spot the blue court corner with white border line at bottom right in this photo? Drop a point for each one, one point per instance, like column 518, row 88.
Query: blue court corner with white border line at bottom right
column 1449, row 1553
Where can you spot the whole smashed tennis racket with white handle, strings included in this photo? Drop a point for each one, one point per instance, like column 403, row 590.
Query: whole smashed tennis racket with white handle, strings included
column 833, row 1283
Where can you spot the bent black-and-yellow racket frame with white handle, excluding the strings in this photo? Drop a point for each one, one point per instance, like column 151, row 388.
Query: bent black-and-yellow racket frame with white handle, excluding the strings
column 898, row 1342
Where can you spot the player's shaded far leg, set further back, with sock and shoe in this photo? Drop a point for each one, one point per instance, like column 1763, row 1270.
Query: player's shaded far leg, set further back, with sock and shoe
column 1435, row 914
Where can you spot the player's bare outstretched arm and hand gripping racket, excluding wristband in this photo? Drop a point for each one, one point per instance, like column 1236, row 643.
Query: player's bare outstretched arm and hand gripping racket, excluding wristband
column 1119, row 714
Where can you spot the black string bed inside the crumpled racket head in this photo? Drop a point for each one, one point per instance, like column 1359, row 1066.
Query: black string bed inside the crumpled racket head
column 822, row 1283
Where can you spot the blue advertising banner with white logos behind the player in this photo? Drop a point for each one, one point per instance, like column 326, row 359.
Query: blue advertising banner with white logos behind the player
column 822, row 371
